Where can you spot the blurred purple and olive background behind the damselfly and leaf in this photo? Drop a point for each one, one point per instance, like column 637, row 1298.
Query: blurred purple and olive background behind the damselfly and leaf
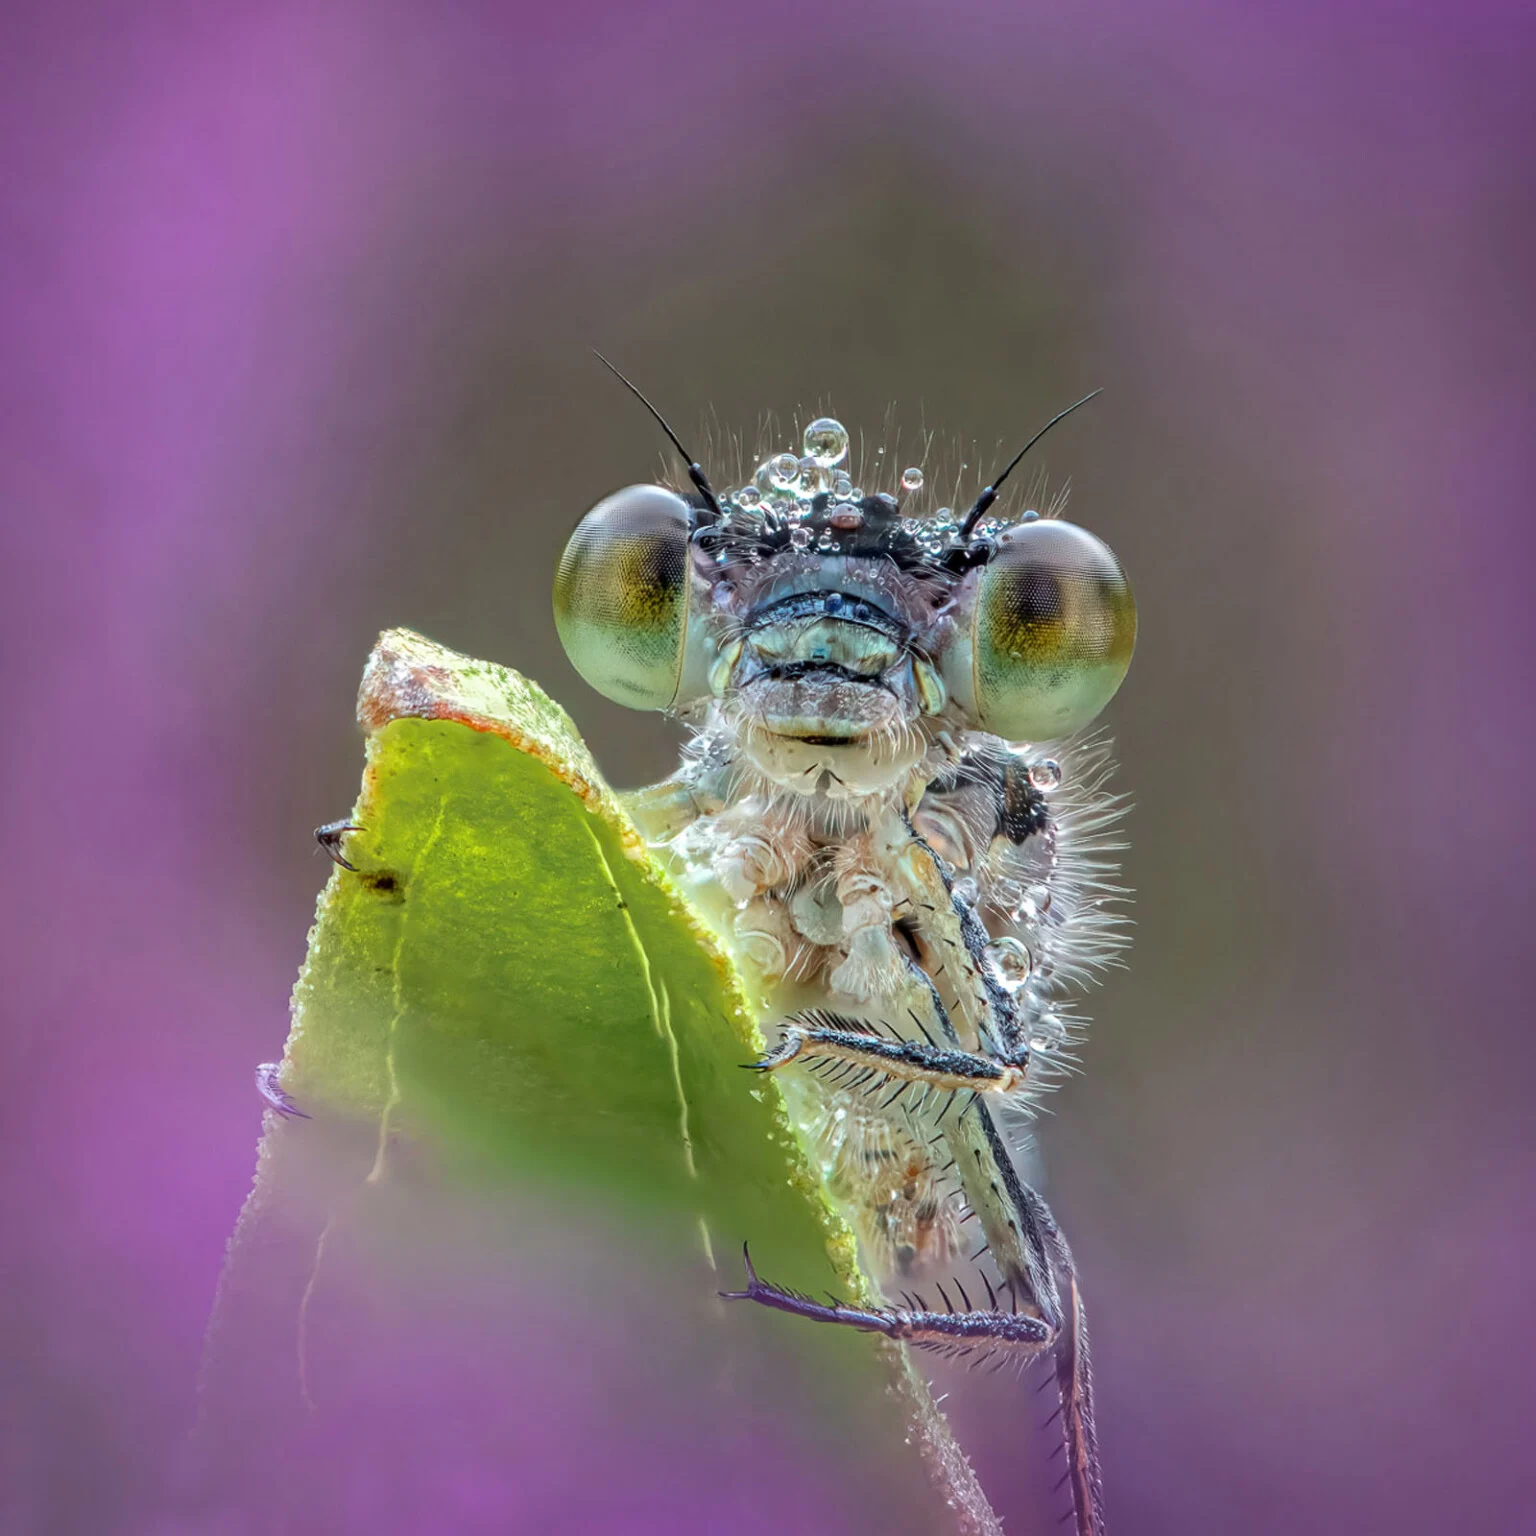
column 296, row 308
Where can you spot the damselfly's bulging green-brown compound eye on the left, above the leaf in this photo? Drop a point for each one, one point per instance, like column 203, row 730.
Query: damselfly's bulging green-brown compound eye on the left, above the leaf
column 621, row 597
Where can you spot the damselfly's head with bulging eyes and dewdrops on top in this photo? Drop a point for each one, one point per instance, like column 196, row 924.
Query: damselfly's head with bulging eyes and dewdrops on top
column 836, row 629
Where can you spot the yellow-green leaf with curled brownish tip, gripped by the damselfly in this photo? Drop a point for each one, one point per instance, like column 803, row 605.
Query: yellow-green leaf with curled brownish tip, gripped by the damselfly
column 511, row 998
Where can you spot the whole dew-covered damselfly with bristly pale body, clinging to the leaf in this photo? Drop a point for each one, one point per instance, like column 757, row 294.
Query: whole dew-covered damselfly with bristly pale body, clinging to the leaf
column 890, row 812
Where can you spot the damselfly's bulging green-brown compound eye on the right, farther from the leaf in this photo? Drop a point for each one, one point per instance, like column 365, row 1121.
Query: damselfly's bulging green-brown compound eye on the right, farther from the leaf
column 1053, row 632
